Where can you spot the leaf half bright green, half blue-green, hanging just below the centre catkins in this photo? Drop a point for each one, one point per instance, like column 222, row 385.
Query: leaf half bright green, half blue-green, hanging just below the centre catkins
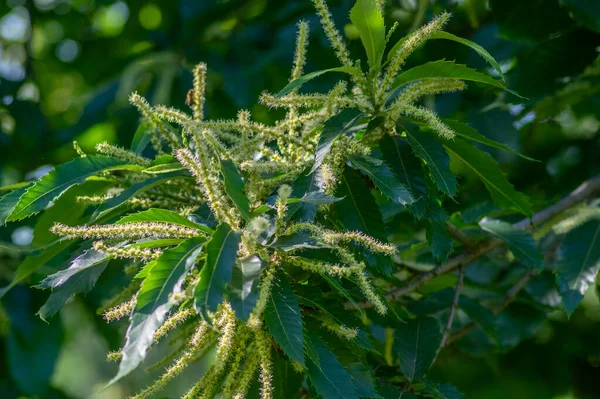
column 221, row 252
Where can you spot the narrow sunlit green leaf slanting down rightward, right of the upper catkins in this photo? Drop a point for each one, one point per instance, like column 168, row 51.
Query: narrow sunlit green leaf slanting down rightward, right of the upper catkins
column 488, row 171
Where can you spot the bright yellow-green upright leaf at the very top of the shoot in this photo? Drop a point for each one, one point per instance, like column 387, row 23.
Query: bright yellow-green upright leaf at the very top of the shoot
column 367, row 19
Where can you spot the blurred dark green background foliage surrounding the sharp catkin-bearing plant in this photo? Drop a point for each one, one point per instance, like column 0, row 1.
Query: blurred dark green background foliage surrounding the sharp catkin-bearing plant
column 67, row 67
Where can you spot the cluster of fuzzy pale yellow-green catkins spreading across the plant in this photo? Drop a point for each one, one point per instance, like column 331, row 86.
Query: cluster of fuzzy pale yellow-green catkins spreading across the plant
column 271, row 158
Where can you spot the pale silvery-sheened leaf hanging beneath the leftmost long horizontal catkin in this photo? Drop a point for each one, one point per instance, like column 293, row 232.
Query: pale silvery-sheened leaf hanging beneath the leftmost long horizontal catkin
column 80, row 277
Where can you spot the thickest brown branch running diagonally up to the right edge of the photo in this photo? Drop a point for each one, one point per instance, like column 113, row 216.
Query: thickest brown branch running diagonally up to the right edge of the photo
column 580, row 194
